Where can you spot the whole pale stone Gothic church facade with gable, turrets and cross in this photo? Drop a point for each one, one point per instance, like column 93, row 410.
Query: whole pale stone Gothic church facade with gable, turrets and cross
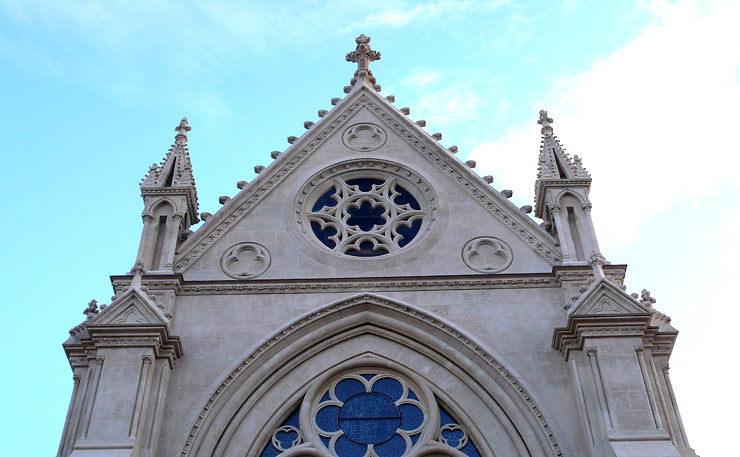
column 368, row 294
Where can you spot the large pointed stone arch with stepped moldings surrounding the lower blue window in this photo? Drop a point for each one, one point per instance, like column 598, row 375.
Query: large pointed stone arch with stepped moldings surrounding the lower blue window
column 274, row 376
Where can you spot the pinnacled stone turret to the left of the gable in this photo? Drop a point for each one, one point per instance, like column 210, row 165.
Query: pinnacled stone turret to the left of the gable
column 170, row 205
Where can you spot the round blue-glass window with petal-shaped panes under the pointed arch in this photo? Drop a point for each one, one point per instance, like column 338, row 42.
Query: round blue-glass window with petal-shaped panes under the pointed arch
column 369, row 411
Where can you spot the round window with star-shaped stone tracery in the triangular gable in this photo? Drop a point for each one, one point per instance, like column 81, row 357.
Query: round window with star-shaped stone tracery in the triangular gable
column 366, row 208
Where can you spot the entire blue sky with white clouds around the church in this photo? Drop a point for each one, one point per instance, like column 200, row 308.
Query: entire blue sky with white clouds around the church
column 645, row 92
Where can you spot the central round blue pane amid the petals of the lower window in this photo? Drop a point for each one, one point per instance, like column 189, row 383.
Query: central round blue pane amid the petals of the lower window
column 369, row 418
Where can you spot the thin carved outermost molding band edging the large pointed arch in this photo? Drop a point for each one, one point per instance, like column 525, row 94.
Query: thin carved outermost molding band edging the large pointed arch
column 253, row 360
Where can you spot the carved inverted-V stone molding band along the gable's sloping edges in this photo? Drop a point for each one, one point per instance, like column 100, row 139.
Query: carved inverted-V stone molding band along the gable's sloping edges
column 258, row 189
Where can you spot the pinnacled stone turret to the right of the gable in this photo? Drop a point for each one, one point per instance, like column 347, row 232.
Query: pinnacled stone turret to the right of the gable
column 561, row 196
